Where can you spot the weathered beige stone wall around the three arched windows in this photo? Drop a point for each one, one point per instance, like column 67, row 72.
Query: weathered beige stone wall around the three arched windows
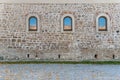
column 84, row 43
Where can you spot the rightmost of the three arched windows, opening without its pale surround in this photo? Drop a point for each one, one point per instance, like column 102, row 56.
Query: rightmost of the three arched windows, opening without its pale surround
column 102, row 23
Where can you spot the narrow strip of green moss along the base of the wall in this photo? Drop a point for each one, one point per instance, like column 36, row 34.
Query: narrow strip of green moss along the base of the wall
column 60, row 62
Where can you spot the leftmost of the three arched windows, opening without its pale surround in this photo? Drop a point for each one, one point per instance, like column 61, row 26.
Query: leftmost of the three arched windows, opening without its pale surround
column 33, row 24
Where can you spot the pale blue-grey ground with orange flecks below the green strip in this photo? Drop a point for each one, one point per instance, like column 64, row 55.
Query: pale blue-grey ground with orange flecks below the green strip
column 59, row 72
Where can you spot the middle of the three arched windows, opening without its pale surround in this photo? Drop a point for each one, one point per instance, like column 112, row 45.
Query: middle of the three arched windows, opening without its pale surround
column 67, row 23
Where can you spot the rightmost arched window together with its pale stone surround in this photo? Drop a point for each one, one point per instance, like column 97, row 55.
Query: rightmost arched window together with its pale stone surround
column 103, row 22
